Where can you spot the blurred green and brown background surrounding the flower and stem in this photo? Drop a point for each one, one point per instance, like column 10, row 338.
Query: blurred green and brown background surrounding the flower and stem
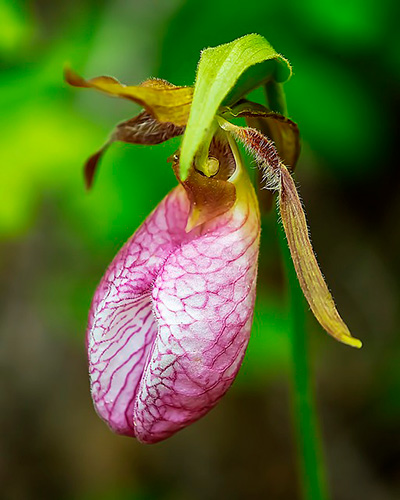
column 57, row 240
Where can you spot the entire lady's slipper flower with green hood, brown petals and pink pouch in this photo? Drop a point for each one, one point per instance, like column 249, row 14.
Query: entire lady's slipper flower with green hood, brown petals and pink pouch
column 171, row 319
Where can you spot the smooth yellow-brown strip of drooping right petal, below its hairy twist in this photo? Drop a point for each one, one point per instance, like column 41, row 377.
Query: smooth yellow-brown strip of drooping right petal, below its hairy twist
column 308, row 272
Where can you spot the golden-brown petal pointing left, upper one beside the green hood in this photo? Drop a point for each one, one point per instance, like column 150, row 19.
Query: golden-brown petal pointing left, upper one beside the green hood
column 164, row 101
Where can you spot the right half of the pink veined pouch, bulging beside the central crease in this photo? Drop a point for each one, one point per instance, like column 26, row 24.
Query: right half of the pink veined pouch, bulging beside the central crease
column 203, row 299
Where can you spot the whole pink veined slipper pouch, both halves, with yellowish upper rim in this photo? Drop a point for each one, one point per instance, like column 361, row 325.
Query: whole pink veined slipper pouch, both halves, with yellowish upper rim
column 171, row 319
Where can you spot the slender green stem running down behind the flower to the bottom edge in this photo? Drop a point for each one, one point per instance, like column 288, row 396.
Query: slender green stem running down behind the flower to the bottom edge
column 309, row 446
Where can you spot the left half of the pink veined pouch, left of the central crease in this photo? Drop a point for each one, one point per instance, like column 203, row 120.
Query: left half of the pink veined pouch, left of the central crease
column 122, row 326
